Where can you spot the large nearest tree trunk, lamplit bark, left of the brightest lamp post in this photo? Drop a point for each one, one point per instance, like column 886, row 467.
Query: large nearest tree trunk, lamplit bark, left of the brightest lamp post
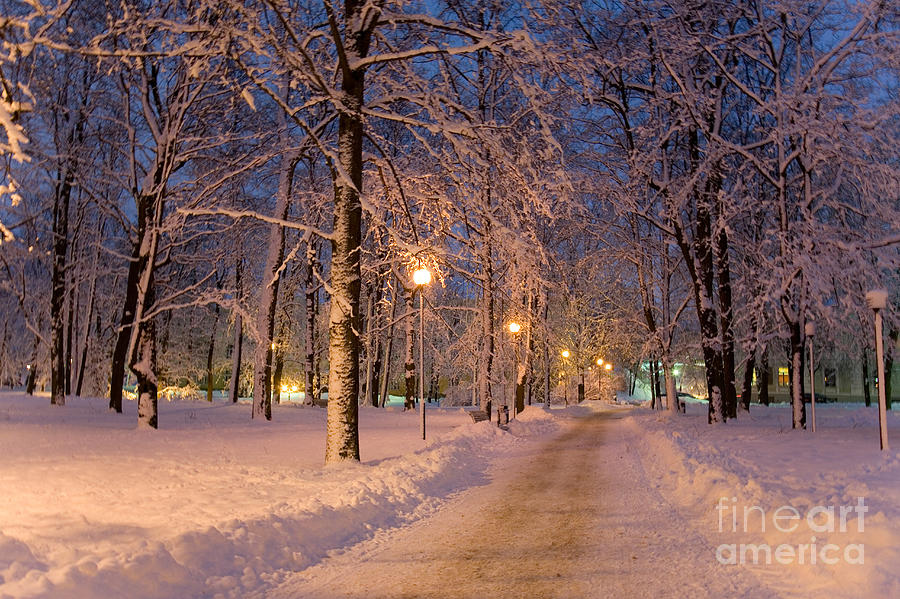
column 342, row 432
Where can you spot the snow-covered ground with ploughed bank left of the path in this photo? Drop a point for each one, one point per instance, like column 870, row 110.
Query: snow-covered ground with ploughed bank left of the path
column 213, row 505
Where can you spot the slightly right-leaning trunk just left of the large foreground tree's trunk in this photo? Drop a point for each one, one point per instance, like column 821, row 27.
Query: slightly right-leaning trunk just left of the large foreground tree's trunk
column 268, row 299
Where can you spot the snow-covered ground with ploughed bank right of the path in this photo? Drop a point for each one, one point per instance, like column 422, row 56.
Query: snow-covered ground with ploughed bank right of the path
column 829, row 500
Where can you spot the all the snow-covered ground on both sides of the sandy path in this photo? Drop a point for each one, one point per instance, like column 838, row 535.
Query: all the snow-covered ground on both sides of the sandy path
column 215, row 505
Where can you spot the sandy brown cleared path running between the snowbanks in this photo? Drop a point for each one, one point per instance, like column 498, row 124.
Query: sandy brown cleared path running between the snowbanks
column 574, row 518
